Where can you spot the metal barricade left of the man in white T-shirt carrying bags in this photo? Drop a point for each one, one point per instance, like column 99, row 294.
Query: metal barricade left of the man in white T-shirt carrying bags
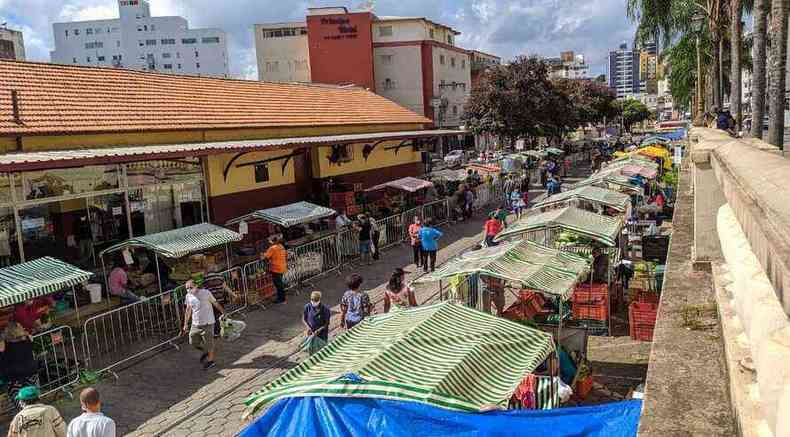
column 123, row 334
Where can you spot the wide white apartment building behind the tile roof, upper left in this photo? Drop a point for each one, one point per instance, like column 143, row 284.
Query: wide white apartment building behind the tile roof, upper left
column 139, row 41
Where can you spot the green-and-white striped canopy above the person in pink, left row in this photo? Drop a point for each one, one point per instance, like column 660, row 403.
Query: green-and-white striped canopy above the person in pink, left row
column 181, row 242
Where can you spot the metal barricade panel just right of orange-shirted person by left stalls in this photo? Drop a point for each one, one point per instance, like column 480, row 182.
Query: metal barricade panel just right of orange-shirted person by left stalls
column 310, row 260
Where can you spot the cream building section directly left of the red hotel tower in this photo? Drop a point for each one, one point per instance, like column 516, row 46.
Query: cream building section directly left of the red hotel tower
column 282, row 52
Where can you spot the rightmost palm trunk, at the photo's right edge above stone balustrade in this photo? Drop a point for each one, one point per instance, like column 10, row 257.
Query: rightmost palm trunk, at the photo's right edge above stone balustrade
column 776, row 72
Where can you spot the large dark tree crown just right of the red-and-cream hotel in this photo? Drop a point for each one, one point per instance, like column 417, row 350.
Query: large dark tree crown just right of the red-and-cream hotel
column 518, row 100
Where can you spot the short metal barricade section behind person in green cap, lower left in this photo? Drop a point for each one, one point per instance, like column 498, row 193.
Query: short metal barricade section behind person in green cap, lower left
column 58, row 364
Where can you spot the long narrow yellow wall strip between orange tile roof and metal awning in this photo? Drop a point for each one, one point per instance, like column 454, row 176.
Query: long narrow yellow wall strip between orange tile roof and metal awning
column 85, row 141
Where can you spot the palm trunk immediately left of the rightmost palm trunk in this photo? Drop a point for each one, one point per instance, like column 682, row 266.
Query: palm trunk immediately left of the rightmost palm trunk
column 758, row 67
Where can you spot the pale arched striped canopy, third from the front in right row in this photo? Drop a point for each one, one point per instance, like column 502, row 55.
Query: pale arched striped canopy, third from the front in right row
column 589, row 224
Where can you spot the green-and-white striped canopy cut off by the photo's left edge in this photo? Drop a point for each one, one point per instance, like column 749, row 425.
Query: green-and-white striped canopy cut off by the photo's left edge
column 37, row 278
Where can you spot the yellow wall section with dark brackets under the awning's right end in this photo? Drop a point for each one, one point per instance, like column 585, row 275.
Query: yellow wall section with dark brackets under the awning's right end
column 380, row 158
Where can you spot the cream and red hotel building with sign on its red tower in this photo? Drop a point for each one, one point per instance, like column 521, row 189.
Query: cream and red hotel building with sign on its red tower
column 412, row 61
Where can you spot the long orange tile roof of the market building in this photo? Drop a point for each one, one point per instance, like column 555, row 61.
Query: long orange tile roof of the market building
column 71, row 99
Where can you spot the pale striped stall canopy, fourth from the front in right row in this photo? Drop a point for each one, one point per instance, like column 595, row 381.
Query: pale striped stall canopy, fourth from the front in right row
column 589, row 197
